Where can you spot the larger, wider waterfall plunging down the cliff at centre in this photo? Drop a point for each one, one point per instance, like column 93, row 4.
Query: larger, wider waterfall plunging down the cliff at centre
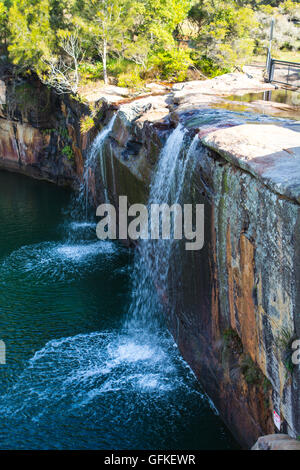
column 153, row 258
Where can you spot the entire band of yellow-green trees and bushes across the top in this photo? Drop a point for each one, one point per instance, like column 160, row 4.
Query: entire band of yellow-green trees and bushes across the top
column 128, row 41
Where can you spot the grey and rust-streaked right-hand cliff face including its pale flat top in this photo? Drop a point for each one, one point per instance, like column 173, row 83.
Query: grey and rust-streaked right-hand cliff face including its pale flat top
column 256, row 253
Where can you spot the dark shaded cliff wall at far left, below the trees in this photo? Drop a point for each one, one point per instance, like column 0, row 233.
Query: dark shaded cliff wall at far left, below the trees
column 40, row 132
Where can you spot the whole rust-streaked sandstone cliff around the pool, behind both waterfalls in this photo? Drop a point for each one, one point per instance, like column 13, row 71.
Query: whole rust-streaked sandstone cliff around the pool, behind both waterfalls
column 238, row 310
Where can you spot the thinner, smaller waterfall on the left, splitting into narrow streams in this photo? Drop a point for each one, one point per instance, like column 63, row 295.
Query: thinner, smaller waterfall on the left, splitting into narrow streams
column 95, row 150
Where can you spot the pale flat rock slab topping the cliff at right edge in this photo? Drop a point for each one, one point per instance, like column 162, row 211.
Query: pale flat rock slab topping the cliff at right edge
column 270, row 153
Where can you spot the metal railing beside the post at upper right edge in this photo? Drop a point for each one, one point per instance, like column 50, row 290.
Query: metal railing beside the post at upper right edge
column 283, row 72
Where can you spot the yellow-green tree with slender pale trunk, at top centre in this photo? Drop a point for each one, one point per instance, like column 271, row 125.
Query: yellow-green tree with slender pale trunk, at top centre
column 131, row 29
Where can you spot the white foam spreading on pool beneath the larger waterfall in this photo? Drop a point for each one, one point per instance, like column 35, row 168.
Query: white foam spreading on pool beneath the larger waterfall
column 70, row 373
